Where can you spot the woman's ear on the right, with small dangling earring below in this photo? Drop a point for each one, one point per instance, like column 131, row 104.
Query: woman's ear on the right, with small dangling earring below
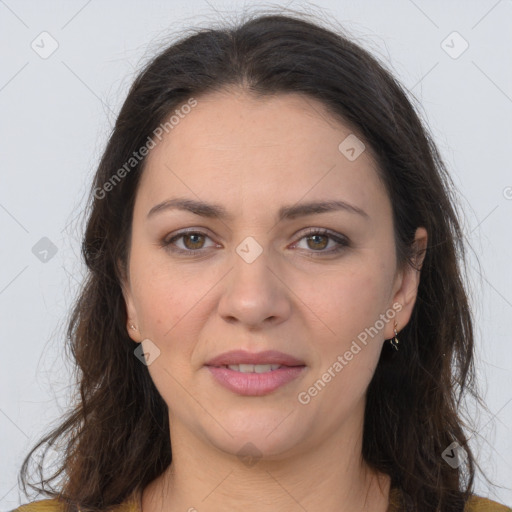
column 406, row 284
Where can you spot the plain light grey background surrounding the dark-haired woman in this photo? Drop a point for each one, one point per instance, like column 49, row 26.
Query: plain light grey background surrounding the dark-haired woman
column 55, row 117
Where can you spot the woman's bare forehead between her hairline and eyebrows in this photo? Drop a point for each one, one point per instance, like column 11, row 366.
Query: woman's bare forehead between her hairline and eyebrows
column 277, row 148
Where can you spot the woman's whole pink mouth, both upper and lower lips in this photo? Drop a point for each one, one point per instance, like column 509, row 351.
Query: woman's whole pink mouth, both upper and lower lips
column 254, row 384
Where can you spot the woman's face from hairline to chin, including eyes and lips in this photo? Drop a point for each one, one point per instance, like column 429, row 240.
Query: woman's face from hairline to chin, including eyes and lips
column 253, row 279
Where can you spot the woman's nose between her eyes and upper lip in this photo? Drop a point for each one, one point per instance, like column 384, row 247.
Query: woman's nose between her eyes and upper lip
column 254, row 293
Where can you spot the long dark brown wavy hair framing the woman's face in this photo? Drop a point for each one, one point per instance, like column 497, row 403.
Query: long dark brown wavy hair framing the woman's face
column 116, row 434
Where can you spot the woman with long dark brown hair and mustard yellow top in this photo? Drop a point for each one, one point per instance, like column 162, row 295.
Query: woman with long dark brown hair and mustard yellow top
column 275, row 316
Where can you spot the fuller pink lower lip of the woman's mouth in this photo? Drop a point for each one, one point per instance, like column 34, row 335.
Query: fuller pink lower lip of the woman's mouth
column 255, row 384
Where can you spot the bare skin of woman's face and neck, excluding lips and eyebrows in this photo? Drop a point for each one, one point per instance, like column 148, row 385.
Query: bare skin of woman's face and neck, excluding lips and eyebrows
column 252, row 156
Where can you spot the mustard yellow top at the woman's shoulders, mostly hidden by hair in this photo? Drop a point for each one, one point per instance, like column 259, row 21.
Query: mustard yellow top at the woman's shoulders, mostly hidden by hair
column 134, row 504
